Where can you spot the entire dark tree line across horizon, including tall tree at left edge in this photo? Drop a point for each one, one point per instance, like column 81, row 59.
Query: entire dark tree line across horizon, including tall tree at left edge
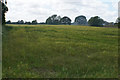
column 58, row 20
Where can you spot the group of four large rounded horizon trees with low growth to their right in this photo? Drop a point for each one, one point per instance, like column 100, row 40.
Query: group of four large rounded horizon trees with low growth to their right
column 79, row 20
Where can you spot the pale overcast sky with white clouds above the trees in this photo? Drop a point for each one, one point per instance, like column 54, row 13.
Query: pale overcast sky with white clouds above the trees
column 29, row 10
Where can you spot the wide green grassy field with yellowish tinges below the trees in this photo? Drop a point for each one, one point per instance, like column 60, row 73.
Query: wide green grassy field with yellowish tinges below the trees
column 60, row 51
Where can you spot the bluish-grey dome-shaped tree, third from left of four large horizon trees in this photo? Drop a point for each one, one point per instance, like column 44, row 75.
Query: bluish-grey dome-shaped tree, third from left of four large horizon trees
column 80, row 20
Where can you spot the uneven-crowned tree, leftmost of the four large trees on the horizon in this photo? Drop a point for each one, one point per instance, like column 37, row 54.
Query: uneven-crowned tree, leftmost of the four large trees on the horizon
column 54, row 19
